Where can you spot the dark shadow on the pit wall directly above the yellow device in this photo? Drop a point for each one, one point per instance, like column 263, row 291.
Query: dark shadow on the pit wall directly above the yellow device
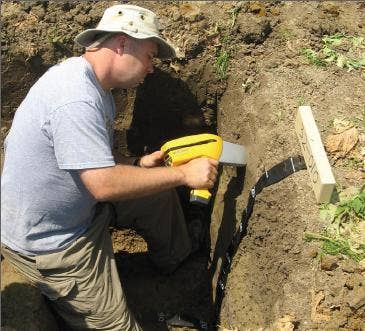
column 164, row 109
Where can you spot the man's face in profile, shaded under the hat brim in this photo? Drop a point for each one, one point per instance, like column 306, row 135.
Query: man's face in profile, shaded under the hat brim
column 136, row 62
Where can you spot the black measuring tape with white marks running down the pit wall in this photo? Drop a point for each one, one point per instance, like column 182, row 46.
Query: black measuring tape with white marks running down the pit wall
column 269, row 177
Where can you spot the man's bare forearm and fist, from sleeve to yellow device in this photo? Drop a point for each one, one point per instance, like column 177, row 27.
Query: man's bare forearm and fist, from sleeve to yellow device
column 126, row 182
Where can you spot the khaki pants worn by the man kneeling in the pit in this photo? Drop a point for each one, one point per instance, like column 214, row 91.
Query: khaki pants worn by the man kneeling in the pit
column 82, row 281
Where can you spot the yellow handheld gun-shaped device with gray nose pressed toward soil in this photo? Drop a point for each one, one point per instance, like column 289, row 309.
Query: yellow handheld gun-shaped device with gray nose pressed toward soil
column 182, row 150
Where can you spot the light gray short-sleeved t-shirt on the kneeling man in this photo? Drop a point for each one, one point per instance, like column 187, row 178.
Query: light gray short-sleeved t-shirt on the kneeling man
column 64, row 124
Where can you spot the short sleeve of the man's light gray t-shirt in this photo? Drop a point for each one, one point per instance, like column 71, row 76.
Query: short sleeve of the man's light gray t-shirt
column 80, row 137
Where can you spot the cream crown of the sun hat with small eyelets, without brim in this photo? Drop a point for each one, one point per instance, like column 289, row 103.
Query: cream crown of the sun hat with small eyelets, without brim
column 129, row 18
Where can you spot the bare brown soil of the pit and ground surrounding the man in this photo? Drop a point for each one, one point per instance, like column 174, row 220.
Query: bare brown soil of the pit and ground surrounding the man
column 278, row 280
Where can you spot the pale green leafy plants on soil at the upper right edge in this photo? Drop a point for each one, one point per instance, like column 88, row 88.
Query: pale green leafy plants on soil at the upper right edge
column 345, row 51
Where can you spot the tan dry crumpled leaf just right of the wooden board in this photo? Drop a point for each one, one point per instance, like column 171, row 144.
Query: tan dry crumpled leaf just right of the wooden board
column 343, row 142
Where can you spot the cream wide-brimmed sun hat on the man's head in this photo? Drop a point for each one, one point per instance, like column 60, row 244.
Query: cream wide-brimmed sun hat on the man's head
column 135, row 21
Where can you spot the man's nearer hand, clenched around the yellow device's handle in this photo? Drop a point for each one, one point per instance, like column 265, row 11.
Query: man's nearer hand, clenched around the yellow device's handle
column 200, row 173
